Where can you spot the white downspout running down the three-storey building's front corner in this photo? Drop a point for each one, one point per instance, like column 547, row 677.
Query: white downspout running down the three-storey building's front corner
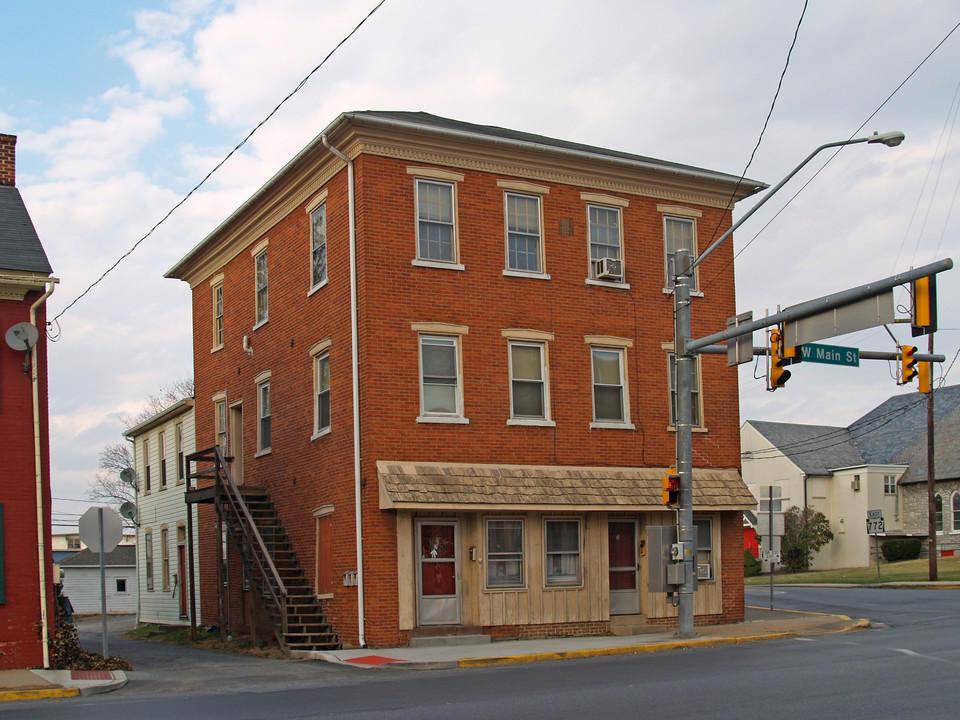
column 355, row 352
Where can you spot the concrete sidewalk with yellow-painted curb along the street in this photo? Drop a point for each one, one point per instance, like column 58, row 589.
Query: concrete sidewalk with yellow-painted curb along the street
column 760, row 624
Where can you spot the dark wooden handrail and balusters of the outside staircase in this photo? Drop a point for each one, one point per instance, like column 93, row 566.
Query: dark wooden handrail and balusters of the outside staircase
column 227, row 494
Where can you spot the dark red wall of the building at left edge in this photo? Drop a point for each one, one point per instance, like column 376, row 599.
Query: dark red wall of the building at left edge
column 20, row 645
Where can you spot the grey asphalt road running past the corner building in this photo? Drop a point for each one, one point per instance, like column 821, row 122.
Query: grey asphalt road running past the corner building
column 908, row 667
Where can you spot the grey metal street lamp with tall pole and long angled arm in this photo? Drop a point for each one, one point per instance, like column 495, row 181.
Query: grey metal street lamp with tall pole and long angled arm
column 685, row 265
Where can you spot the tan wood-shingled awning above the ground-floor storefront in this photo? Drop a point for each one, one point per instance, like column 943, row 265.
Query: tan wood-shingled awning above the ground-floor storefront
column 464, row 486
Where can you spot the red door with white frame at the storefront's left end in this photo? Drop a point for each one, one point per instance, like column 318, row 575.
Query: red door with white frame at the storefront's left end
column 438, row 576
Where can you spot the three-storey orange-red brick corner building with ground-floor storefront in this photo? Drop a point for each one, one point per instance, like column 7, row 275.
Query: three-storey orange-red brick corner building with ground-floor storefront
column 436, row 355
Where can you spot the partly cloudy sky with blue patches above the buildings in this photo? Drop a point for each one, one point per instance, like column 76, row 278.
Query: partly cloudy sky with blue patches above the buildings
column 122, row 107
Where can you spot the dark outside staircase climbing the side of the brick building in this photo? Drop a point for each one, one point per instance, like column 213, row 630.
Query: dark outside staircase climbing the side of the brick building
column 269, row 560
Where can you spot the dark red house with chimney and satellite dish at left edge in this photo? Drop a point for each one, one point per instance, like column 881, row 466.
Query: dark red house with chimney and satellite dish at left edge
column 26, row 573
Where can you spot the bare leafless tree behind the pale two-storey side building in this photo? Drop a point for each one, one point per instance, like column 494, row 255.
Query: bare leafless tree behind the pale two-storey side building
column 106, row 485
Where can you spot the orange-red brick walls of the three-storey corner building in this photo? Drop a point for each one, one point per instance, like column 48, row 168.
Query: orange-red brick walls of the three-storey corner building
column 302, row 474
